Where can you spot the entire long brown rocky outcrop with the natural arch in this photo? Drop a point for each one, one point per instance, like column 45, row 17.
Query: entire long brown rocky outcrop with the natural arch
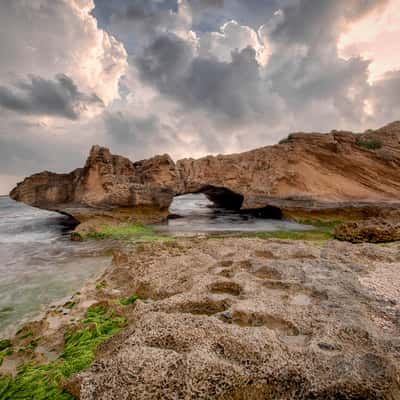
column 307, row 175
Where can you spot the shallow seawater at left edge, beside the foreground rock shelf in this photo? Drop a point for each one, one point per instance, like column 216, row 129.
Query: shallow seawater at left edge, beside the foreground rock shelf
column 38, row 262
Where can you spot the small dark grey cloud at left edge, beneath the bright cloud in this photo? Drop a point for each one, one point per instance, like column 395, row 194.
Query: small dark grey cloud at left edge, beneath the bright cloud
column 38, row 96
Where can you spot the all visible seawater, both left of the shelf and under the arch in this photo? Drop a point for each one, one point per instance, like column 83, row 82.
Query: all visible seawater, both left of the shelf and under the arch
column 40, row 265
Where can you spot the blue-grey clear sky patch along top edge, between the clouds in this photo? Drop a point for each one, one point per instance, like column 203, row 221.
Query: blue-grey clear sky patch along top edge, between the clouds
column 125, row 18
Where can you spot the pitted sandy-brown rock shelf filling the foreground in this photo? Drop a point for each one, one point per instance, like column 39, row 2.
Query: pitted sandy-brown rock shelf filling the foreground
column 252, row 319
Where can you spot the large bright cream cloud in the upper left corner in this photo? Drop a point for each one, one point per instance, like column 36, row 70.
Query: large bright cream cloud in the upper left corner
column 46, row 37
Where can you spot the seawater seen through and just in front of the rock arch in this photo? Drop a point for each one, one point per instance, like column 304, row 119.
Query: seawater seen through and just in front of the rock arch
column 196, row 214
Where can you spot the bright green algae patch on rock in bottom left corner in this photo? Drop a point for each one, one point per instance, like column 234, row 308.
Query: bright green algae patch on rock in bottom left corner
column 42, row 381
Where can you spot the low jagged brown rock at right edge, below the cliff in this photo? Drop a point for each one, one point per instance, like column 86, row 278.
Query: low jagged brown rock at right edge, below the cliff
column 371, row 230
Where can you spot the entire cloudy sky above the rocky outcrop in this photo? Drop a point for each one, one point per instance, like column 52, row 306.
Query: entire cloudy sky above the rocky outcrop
column 187, row 77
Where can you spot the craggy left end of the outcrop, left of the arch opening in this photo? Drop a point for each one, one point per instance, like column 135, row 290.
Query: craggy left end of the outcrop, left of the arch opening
column 108, row 186
